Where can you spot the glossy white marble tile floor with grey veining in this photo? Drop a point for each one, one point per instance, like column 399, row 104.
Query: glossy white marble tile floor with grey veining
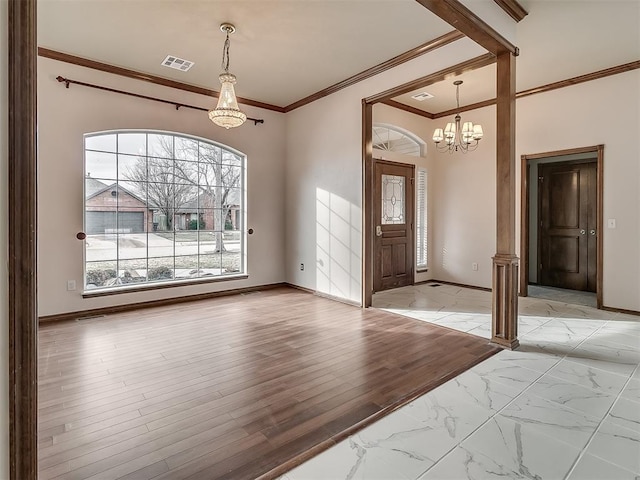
column 565, row 405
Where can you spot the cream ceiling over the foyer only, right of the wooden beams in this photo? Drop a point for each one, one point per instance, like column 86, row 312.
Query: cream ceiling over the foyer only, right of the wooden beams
column 559, row 39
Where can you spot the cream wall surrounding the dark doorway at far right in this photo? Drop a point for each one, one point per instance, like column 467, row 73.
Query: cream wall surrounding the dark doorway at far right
column 605, row 111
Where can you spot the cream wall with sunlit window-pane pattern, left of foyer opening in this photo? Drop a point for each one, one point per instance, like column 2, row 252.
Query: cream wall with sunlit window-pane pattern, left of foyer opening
column 324, row 177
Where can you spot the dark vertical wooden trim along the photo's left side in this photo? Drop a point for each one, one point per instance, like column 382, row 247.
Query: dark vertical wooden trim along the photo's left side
column 23, row 305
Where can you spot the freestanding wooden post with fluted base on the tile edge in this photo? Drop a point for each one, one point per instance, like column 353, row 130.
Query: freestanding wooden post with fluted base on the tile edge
column 505, row 261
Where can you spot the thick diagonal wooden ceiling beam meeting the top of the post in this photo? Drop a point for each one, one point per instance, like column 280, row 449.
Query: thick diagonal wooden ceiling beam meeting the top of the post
column 464, row 20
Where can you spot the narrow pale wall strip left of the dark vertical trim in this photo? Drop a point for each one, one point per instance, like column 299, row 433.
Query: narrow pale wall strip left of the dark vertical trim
column 4, row 258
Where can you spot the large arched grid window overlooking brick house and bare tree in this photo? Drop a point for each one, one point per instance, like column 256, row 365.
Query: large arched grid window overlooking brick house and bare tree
column 161, row 207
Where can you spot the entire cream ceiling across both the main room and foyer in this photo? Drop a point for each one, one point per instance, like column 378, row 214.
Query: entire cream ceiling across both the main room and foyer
column 285, row 50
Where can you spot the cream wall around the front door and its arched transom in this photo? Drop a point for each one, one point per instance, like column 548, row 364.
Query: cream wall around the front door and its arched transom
column 419, row 126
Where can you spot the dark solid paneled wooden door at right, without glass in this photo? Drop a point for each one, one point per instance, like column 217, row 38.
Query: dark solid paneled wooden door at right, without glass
column 567, row 225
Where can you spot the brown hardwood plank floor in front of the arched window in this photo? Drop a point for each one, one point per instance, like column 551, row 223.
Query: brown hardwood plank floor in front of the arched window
column 234, row 387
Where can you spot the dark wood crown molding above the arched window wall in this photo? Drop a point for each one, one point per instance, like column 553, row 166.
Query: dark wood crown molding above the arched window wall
column 126, row 72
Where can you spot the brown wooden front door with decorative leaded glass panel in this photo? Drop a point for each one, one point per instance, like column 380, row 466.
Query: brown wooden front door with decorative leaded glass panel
column 393, row 201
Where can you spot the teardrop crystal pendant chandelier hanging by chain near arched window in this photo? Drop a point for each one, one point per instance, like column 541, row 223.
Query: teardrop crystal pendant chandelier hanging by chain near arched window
column 227, row 114
